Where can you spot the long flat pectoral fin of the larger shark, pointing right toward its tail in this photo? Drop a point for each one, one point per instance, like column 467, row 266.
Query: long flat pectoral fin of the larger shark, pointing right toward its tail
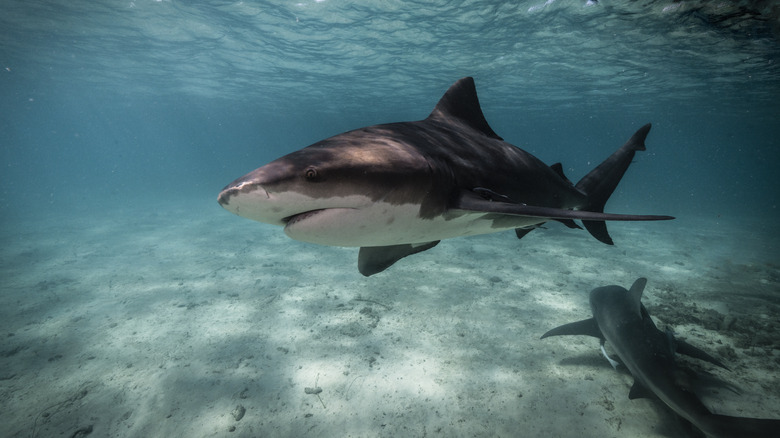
column 475, row 201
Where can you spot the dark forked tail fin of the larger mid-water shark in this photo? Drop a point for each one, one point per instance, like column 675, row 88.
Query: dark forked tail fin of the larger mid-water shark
column 601, row 181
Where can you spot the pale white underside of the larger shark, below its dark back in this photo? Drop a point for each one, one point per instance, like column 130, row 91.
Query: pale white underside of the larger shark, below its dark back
column 383, row 224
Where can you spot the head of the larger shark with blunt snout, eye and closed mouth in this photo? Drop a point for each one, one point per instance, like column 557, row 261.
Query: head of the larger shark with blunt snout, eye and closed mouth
column 339, row 191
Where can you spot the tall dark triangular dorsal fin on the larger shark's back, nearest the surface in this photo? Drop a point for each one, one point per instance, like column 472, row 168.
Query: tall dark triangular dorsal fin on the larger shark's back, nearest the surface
column 461, row 102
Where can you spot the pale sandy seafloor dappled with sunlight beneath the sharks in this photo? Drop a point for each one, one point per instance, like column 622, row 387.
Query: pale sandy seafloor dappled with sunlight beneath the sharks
column 184, row 320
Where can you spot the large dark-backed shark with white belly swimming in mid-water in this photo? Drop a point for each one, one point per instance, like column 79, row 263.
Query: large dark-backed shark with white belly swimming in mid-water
column 398, row 189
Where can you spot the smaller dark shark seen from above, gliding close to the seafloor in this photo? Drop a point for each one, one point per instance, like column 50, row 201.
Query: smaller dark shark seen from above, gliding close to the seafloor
column 648, row 353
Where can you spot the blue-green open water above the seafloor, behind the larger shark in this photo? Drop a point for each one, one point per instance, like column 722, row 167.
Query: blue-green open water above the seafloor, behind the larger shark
column 108, row 100
